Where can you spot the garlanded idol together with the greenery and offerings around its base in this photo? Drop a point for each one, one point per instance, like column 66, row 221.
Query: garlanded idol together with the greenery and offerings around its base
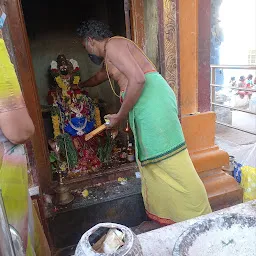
column 74, row 114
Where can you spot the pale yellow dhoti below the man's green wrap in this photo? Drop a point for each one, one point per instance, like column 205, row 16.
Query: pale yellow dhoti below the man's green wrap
column 172, row 190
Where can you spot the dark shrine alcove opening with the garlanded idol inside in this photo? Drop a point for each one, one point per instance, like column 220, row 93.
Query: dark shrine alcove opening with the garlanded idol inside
column 67, row 118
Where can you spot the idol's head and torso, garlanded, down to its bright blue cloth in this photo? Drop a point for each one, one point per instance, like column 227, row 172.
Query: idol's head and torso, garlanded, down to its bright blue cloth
column 77, row 109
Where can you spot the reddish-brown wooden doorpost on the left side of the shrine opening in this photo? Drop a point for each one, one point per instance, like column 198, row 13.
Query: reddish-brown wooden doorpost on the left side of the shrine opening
column 28, row 84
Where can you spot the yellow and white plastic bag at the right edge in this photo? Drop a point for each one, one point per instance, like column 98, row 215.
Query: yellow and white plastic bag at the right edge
column 248, row 171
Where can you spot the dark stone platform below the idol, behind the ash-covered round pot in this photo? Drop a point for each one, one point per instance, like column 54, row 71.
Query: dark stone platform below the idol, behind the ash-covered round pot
column 111, row 202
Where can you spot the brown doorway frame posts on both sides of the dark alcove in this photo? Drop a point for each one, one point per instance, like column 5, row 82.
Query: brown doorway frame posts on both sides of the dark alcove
column 20, row 43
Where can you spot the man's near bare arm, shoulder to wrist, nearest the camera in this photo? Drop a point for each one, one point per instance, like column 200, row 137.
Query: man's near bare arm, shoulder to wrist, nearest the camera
column 120, row 56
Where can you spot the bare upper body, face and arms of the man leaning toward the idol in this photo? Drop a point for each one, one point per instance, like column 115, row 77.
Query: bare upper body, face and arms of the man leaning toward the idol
column 126, row 64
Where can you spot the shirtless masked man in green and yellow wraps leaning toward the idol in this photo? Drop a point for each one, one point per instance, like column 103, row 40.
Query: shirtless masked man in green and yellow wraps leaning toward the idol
column 171, row 188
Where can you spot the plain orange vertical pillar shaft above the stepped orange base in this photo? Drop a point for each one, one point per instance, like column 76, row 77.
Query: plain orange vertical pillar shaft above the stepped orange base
column 188, row 56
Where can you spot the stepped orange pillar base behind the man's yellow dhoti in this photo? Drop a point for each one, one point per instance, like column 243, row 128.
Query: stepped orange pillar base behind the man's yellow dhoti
column 222, row 189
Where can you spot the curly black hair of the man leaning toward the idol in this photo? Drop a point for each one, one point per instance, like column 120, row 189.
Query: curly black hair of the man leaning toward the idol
column 94, row 29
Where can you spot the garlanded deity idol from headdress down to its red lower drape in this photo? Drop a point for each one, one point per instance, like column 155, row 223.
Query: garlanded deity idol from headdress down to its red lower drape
column 74, row 114
